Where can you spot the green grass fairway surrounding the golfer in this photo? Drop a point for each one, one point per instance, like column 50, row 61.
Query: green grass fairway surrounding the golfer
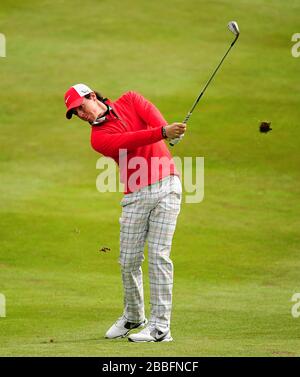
column 236, row 254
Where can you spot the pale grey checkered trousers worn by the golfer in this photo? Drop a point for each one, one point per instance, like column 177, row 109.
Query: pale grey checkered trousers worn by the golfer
column 149, row 213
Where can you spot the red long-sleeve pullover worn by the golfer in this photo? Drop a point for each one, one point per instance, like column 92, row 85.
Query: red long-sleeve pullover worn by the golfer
column 137, row 128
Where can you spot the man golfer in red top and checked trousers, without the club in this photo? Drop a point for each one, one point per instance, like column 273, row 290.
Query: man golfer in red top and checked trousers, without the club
column 131, row 131
